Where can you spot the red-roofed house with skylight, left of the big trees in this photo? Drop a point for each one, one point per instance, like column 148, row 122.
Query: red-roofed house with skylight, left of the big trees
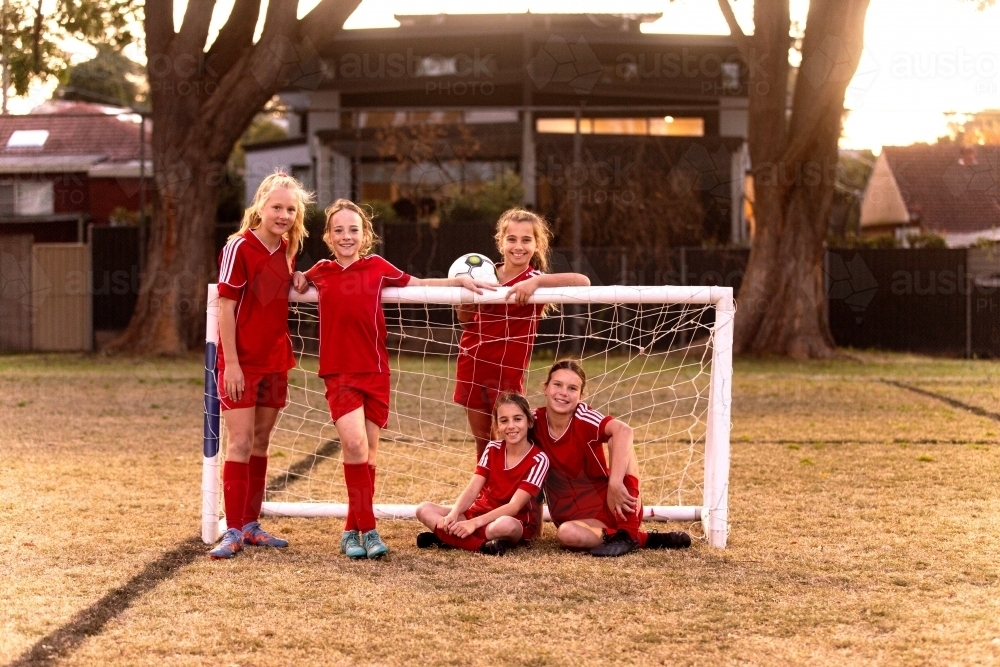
column 67, row 165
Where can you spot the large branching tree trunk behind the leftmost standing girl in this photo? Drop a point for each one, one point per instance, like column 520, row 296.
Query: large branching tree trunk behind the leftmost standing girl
column 202, row 102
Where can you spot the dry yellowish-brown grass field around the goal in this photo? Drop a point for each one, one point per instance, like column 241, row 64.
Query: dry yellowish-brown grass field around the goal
column 864, row 530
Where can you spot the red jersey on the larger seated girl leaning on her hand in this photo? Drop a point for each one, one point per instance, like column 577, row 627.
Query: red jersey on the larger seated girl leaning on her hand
column 577, row 485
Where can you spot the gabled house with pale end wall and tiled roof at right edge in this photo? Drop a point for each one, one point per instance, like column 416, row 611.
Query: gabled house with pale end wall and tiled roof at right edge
column 949, row 190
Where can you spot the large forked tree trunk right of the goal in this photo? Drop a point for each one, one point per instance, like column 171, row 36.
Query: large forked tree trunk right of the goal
column 793, row 153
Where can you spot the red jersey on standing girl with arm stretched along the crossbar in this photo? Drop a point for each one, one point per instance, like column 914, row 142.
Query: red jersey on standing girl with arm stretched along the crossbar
column 351, row 324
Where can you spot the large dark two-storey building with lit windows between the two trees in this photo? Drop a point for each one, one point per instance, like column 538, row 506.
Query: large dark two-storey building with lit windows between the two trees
column 412, row 114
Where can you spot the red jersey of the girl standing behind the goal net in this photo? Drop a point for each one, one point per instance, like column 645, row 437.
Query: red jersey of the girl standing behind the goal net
column 496, row 345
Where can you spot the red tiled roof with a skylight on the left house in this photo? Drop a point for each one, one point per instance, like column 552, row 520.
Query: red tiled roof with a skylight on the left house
column 78, row 129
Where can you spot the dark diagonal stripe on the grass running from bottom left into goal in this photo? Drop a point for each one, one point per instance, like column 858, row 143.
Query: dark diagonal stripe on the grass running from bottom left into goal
column 91, row 621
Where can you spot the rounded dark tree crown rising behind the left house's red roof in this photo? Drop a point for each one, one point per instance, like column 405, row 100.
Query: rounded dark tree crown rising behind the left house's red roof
column 108, row 78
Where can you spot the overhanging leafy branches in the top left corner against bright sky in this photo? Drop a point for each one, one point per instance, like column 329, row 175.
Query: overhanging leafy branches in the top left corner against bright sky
column 37, row 34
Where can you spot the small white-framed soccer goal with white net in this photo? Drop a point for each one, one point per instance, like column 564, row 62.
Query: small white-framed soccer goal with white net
column 658, row 358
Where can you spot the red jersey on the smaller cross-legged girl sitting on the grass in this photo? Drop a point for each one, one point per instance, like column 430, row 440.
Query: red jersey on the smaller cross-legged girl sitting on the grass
column 501, row 481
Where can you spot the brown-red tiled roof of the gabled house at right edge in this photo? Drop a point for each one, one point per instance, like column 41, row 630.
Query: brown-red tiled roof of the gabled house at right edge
column 948, row 196
